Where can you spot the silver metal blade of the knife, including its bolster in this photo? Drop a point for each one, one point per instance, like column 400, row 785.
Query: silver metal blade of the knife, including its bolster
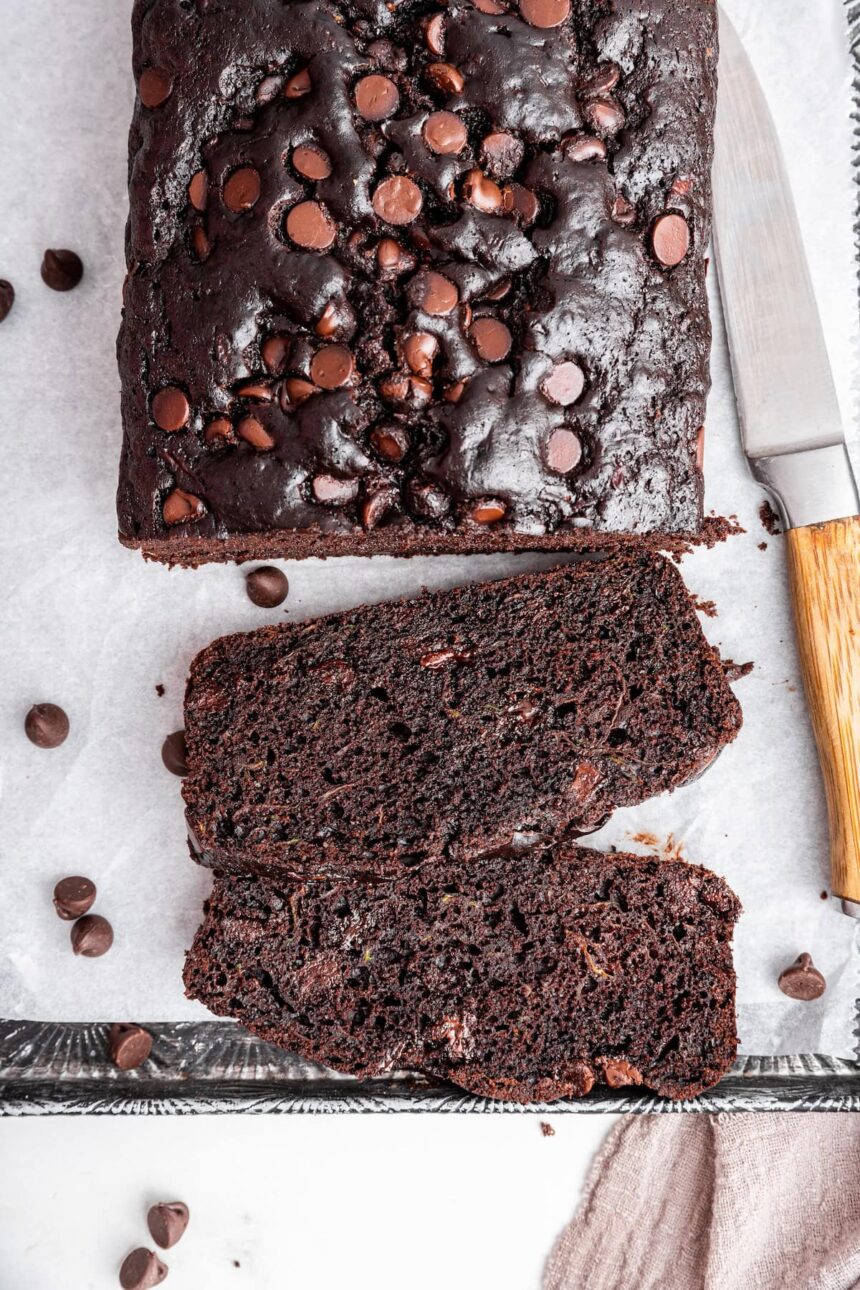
column 787, row 402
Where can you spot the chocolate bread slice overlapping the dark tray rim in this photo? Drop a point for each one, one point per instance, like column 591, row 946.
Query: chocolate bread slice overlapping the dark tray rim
column 527, row 976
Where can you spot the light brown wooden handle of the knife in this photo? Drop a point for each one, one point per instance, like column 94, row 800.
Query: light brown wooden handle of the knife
column 825, row 570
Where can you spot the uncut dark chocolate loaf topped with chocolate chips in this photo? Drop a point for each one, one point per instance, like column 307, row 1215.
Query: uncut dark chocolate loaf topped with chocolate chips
column 413, row 277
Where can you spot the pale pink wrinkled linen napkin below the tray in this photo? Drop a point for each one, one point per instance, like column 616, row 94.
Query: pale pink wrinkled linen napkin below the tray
column 719, row 1203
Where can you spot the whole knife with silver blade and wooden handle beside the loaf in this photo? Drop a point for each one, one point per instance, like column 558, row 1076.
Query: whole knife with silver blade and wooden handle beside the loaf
column 792, row 433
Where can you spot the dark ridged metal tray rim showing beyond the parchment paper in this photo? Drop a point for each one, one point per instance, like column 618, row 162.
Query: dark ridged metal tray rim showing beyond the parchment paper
column 216, row 1067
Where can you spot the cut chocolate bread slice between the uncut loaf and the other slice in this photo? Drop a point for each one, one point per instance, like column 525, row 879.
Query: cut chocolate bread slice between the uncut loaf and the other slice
column 442, row 727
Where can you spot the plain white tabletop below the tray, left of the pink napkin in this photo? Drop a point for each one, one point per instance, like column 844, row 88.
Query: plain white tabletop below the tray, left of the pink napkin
column 304, row 1203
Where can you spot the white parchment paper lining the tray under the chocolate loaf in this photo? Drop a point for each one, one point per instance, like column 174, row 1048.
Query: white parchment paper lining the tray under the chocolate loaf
column 92, row 628
